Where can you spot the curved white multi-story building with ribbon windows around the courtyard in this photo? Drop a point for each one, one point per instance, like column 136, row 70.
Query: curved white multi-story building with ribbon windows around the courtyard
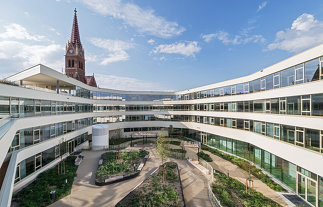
column 271, row 118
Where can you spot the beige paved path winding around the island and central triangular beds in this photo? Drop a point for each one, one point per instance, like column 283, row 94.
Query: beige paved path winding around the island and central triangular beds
column 85, row 193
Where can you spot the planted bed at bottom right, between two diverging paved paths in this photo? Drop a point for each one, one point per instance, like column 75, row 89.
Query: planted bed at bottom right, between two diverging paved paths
column 232, row 193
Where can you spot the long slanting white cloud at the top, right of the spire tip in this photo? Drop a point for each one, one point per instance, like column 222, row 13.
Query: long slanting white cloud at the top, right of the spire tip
column 145, row 21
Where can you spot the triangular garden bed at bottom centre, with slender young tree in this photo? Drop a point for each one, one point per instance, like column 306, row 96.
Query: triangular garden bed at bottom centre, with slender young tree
column 156, row 192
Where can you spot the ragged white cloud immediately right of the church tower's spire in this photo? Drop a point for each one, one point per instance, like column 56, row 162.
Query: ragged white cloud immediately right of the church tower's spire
column 116, row 49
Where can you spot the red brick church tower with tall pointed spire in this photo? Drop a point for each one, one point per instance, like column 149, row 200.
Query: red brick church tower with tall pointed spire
column 74, row 57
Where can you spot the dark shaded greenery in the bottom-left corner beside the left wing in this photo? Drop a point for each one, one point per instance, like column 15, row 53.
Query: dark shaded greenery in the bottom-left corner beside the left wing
column 37, row 194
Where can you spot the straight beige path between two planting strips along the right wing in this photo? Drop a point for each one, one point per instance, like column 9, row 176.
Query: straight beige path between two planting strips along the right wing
column 241, row 175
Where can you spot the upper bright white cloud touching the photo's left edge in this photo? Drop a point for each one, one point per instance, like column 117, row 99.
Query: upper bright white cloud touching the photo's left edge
column 16, row 31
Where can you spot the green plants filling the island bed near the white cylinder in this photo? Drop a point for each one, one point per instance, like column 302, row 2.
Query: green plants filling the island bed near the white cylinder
column 119, row 163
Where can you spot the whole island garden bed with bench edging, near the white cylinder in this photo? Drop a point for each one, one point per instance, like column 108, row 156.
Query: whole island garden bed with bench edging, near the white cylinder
column 118, row 166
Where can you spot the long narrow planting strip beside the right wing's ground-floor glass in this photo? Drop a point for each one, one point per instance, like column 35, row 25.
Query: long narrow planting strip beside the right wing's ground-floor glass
column 245, row 165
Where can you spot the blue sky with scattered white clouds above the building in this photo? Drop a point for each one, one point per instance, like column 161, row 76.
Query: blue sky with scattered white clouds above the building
column 159, row 44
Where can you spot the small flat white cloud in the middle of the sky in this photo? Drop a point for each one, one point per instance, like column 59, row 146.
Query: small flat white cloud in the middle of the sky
column 183, row 48
